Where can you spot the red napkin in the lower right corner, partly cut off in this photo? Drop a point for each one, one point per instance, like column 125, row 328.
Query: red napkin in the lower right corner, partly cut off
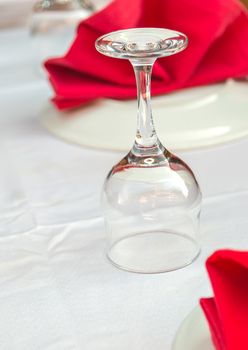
column 227, row 312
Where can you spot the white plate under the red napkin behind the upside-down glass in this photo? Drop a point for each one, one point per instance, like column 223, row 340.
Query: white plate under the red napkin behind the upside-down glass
column 192, row 118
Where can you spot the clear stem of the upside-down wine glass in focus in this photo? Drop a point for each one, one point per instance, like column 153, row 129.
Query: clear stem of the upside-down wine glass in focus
column 146, row 137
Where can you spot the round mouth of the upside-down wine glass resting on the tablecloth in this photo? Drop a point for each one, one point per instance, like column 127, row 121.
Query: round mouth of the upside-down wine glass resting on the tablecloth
column 153, row 252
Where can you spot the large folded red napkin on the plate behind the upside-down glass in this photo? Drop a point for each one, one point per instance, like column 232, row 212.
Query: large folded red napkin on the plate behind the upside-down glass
column 217, row 32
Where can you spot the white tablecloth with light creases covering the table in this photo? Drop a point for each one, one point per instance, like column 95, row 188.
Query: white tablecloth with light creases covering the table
column 57, row 290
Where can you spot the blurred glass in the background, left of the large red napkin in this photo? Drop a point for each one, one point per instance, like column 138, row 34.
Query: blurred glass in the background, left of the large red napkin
column 53, row 25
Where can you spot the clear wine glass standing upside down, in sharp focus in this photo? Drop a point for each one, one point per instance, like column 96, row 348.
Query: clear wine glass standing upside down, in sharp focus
column 151, row 199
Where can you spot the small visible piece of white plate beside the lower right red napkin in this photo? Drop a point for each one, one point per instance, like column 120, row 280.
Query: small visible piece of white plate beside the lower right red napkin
column 193, row 333
